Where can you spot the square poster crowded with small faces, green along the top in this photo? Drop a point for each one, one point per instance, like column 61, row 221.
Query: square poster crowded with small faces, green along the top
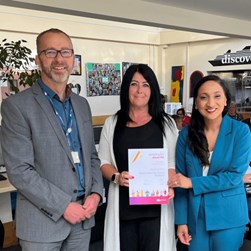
column 103, row 79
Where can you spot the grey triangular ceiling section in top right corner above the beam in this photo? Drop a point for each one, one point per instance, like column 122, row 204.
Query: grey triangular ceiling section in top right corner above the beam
column 239, row 9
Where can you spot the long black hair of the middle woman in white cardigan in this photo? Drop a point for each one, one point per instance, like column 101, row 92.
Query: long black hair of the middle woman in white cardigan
column 155, row 105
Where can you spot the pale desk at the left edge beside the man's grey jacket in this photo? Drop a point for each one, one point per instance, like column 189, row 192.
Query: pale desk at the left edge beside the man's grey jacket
column 5, row 200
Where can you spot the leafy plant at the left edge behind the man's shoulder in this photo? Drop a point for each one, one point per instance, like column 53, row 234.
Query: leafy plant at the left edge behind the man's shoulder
column 16, row 64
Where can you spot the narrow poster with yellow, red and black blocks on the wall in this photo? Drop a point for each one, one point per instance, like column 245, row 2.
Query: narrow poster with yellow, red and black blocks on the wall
column 177, row 84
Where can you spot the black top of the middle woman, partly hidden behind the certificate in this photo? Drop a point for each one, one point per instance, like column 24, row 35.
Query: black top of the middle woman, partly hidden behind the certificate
column 146, row 136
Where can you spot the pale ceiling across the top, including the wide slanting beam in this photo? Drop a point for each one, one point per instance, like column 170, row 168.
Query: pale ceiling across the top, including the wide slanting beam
column 216, row 17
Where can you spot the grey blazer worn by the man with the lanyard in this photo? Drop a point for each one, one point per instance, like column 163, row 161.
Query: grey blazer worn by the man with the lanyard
column 39, row 163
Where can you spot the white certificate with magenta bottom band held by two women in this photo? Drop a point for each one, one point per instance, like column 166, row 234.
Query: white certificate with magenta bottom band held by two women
column 150, row 170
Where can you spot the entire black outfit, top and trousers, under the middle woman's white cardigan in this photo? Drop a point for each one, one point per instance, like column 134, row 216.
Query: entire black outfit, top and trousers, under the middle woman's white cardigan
column 146, row 136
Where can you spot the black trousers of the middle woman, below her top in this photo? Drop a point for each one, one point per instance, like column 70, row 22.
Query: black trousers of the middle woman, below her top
column 140, row 234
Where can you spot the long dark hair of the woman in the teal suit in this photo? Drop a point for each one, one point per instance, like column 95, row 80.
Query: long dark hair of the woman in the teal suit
column 196, row 136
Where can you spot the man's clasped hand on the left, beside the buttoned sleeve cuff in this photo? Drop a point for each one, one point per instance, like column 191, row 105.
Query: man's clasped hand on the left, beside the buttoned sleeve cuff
column 74, row 213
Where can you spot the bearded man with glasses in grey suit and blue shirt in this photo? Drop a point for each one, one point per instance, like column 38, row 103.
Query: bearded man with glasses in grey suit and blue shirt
column 50, row 155
